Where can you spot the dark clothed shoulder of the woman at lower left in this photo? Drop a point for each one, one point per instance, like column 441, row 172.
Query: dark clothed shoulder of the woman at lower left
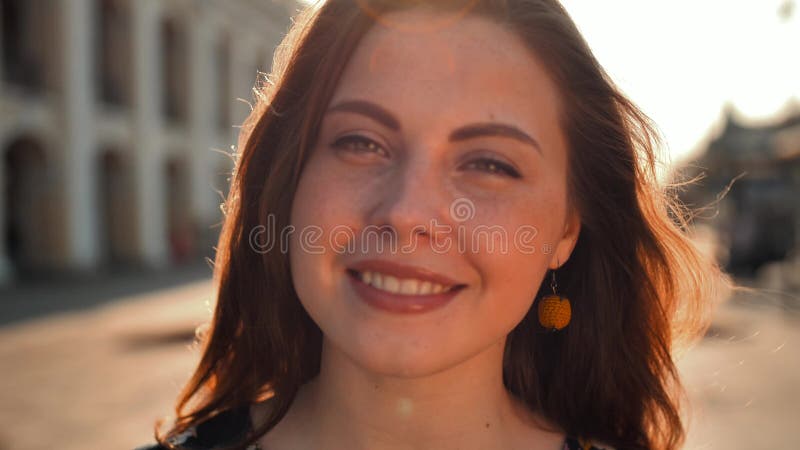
column 225, row 428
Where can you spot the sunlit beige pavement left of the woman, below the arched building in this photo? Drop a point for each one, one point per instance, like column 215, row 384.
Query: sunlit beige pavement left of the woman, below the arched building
column 97, row 378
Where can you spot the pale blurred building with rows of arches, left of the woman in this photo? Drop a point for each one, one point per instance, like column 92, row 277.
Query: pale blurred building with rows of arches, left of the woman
column 115, row 116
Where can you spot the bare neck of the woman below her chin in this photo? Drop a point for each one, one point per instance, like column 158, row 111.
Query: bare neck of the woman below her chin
column 465, row 406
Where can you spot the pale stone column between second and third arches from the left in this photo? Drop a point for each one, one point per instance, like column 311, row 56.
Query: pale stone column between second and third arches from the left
column 148, row 165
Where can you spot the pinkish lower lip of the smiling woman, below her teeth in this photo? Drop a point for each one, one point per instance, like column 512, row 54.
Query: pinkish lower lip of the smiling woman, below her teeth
column 398, row 303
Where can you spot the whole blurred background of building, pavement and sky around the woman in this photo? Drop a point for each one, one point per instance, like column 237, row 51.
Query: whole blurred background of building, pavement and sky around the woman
column 117, row 122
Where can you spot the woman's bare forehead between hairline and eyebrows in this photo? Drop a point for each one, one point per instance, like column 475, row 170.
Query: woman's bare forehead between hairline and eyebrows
column 433, row 71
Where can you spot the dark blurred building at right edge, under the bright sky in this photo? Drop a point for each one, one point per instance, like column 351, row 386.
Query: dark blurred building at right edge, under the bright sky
column 759, row 218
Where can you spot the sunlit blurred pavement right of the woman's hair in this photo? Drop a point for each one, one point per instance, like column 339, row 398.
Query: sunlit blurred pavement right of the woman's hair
column 743, row 379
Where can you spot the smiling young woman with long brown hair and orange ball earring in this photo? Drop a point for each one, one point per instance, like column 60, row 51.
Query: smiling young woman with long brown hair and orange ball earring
column 445, row 231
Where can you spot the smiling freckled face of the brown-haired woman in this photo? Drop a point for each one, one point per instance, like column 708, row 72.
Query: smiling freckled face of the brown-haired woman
column 442, row 145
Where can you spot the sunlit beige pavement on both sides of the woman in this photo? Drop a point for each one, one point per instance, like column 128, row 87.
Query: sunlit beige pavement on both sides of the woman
column 97, row 374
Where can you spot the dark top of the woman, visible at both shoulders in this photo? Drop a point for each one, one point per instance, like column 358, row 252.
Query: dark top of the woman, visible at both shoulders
column 233, row 425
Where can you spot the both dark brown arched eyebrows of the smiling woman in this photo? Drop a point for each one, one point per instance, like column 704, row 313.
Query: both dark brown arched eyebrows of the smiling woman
column 471, row 131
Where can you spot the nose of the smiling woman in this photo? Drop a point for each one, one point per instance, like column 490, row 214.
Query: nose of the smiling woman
column 413, row 205
